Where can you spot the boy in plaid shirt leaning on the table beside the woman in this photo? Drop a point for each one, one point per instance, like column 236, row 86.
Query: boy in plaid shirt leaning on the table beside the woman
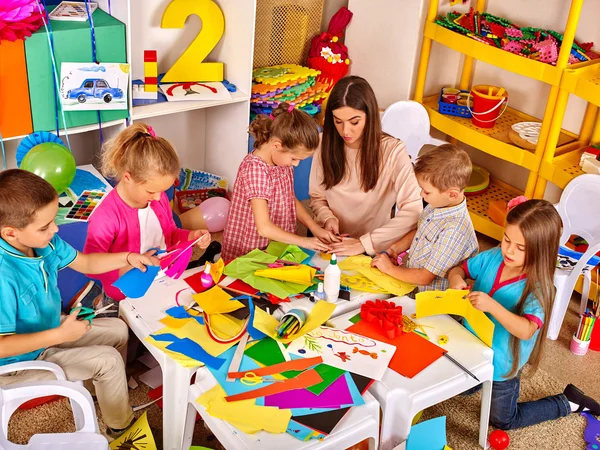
column 444, row 236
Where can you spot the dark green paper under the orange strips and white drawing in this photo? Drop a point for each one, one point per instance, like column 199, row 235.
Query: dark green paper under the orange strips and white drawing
column 267, row 352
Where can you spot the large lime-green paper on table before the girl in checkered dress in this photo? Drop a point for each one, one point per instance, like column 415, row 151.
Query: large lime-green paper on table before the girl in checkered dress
column 244, row 267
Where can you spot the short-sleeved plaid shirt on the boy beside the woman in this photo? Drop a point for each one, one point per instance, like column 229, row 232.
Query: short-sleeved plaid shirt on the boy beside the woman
column 445, row 237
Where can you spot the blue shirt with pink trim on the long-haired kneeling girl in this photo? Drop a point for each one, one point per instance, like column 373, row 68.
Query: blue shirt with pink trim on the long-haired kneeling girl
column 486, row 269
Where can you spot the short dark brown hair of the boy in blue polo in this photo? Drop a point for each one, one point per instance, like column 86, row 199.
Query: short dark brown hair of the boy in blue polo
column 22, row 194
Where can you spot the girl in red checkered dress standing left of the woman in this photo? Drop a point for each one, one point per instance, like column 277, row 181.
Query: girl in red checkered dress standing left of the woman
column 264, row 207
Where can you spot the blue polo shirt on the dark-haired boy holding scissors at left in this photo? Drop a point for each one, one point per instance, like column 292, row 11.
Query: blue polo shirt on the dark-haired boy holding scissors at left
column 29, row 298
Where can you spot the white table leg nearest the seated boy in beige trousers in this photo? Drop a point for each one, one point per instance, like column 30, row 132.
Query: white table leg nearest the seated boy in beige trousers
column 176, row 384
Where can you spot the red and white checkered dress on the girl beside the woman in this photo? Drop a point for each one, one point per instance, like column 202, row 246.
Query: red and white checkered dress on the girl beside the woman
column 256, row 179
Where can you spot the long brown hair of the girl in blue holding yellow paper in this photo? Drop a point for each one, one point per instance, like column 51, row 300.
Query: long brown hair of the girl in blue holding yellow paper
column 541, row 226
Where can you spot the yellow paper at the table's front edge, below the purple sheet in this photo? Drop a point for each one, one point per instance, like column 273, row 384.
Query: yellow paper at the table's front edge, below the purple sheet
column 245, row 414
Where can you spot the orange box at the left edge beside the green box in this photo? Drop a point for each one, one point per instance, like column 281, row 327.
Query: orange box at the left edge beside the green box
column 15, row 114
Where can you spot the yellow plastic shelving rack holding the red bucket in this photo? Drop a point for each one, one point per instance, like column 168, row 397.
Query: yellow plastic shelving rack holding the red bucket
column 495, row 141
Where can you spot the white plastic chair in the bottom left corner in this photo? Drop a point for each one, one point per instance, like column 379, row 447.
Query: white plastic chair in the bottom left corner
column 12, row 396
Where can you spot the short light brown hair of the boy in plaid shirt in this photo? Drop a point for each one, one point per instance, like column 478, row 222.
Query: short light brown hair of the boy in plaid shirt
column 445, row 167
